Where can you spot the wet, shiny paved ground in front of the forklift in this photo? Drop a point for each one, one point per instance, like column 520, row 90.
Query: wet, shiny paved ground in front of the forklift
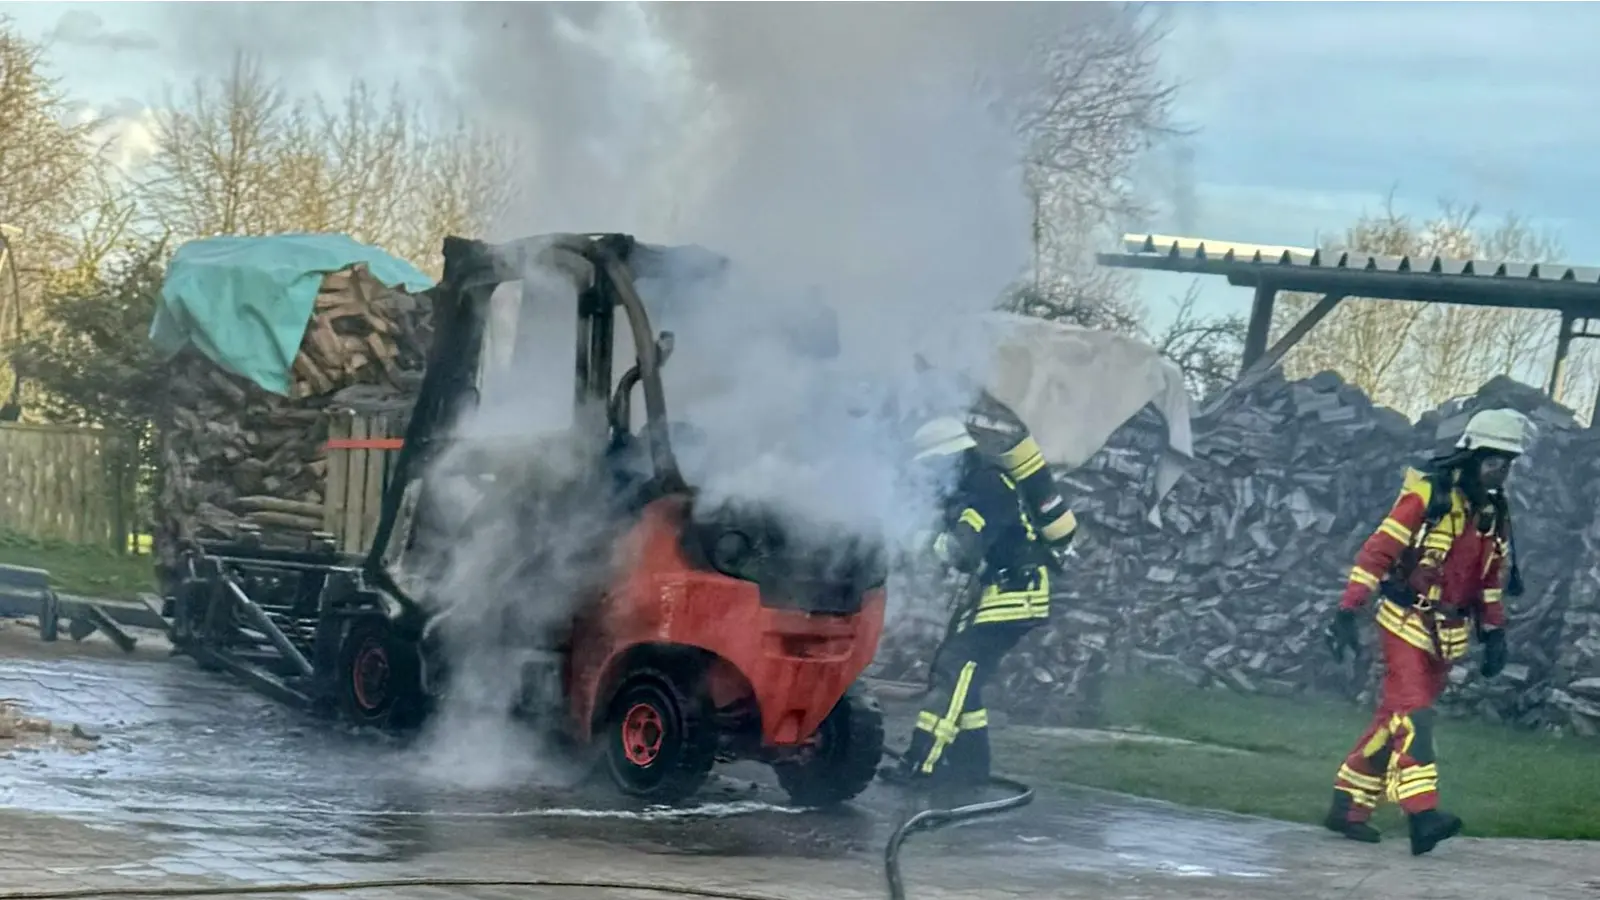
column 215, row 781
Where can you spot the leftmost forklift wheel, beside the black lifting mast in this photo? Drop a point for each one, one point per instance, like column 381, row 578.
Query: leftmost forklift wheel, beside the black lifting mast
column 378, row 678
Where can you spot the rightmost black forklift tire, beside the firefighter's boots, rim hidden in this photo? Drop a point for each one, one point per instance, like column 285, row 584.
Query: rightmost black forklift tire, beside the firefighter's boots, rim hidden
column 846, row 757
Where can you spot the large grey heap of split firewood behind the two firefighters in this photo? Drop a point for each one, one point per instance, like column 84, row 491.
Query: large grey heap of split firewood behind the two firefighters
column 1238, row 584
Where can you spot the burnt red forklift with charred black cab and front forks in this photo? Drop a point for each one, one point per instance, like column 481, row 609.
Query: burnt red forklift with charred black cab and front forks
column 674, row 638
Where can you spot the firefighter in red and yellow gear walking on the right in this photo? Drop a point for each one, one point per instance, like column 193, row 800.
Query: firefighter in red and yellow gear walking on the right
column 1439, row 565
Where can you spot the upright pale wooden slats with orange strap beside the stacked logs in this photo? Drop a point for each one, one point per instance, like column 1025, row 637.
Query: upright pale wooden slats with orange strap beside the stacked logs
column 362, row 454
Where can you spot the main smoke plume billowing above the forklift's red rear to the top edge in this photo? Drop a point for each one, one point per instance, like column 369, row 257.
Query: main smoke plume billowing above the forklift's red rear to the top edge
column 849, row 155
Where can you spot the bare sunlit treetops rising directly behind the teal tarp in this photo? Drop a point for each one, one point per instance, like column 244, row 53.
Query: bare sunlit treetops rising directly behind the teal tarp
column 238, row 156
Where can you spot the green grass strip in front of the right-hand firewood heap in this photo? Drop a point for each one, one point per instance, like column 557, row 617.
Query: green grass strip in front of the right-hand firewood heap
column 1503, row 782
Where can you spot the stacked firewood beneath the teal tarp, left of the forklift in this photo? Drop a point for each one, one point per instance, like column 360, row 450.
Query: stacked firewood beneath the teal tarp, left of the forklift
column 234, row 452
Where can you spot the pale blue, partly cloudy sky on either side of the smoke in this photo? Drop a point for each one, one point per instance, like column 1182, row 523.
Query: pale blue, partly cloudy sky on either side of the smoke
column 1308, row 115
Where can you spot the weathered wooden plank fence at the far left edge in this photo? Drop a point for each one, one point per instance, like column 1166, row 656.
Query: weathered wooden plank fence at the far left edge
column 65, row 484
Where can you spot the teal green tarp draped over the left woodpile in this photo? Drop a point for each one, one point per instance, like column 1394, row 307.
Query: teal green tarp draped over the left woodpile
column 246, row 302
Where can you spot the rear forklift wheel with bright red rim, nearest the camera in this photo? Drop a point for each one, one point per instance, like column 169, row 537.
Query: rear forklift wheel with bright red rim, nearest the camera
column 660, row 742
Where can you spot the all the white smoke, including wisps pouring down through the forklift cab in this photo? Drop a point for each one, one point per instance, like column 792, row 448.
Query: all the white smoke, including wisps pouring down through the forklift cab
column 857, row 156
